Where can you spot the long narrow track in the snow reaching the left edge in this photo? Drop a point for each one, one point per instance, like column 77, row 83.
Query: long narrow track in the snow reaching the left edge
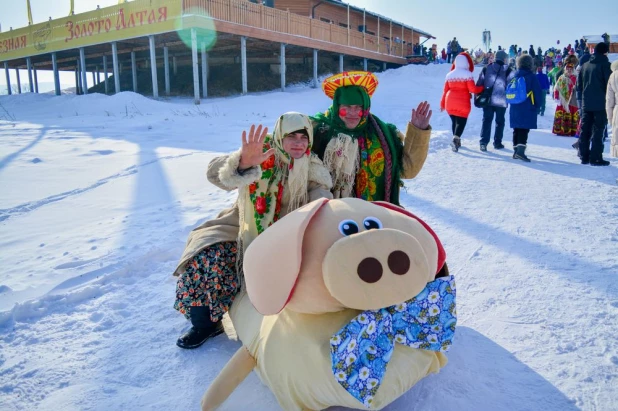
column 25, row 208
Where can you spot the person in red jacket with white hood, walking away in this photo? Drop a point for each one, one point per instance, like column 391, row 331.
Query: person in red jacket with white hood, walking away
column 458, row 87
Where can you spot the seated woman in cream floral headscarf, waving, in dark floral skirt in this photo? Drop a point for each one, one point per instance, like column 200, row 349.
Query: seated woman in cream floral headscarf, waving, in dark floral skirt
column 274, row 175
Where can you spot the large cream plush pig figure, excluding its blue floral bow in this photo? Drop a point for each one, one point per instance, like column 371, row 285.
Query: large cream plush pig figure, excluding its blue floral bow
column 310, row 275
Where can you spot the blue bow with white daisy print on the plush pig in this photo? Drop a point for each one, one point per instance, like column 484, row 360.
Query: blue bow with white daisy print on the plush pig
column 361, row 350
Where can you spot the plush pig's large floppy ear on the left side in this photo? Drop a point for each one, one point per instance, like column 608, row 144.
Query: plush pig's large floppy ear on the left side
column 272, row 261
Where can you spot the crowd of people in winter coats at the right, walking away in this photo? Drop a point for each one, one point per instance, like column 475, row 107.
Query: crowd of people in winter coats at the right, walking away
column 578, row 80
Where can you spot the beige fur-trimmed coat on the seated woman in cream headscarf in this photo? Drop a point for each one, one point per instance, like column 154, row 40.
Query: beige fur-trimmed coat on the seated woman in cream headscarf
column 223, row 173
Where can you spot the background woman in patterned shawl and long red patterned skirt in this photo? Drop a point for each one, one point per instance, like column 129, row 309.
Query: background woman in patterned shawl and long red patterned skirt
column 566, row 117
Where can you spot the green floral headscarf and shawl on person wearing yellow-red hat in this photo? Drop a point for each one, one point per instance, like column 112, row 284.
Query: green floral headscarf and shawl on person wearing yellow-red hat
column 370, row 181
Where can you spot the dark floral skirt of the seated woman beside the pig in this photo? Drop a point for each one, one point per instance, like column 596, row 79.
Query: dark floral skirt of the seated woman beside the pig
column 209, row 280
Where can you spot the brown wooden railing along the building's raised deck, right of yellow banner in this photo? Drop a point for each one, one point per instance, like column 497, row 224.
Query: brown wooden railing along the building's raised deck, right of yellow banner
column 254, row 15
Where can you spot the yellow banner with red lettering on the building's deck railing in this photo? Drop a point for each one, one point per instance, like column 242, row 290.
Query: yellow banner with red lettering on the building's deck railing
column 129, row 20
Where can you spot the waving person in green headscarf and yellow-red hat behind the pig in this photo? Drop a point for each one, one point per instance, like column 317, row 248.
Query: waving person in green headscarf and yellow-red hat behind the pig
column 367, row 157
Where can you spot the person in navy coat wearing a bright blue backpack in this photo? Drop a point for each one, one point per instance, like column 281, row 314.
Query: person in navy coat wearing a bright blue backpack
column 523, row 115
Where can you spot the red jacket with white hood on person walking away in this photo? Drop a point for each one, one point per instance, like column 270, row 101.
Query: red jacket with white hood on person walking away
column 459, row 87
